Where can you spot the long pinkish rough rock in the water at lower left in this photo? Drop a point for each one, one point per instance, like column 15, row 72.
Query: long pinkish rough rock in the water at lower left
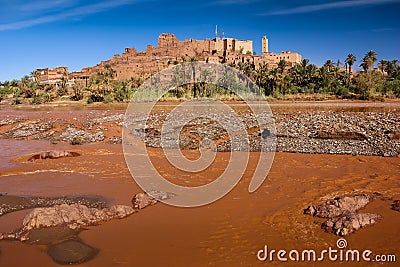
column 74, row 216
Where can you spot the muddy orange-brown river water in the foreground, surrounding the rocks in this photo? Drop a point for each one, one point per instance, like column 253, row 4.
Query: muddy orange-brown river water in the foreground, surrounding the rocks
column 228, row 232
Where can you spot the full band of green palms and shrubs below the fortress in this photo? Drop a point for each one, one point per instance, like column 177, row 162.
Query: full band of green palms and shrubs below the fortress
column 276, row 82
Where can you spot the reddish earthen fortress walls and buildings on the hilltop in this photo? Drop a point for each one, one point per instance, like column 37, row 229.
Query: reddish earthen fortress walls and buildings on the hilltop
column 170, row 51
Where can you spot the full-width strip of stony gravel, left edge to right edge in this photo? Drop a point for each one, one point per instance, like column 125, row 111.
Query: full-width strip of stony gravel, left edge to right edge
column 321, row 132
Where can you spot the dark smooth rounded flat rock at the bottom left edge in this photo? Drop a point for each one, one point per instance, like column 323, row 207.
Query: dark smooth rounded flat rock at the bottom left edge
column 71, row 252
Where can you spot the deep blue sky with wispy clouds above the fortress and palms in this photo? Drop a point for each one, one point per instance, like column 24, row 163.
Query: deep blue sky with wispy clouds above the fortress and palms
column 76, row 33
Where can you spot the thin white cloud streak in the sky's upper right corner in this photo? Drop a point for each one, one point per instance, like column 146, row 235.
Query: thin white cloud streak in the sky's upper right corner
column 326, row 6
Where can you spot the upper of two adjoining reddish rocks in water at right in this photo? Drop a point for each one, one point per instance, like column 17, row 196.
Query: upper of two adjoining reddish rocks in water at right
column 339, row 206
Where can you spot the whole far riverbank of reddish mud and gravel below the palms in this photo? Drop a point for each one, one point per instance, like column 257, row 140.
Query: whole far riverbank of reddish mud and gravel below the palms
column 360, row 128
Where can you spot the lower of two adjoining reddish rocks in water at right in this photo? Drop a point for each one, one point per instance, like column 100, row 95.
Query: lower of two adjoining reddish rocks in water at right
column 347, row 224
